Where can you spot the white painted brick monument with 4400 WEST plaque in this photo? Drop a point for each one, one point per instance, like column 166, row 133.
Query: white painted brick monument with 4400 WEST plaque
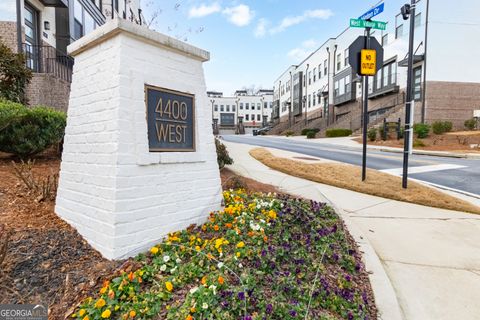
column 139, row 157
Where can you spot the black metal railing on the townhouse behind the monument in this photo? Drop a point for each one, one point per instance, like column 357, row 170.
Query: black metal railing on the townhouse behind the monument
column 46, row 59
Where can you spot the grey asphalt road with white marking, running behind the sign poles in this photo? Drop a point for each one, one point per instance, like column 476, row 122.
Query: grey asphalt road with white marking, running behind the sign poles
column 460, row 174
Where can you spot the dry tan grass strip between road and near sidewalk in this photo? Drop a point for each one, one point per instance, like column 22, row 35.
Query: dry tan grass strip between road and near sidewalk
column 377, row 183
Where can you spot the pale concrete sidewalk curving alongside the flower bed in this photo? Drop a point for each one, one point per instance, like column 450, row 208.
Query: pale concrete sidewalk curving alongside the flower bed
column 425, row 262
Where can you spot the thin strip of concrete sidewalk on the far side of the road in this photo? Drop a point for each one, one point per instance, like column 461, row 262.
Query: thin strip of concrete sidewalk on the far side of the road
column 349, row 142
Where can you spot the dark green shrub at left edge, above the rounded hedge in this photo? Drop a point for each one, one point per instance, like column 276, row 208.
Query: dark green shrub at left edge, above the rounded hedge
column 14, row 75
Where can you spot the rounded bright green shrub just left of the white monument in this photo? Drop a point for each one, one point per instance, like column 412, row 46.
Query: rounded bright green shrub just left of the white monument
column 25, row 131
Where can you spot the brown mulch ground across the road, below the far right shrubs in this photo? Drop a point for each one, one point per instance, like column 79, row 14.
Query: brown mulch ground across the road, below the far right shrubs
column 461, row 141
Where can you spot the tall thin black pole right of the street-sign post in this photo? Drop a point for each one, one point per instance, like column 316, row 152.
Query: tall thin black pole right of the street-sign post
column 408, row 11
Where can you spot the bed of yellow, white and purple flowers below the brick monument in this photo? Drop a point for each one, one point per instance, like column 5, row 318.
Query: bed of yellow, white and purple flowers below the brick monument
column 262, row 257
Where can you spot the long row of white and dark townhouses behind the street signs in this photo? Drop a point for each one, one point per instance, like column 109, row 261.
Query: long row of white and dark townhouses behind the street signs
column 326, row 89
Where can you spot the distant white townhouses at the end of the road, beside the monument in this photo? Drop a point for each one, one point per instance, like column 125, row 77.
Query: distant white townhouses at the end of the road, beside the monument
column 249, row 111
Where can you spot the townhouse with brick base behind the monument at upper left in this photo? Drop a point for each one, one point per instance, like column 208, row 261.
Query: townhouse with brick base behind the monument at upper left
column 42, row 30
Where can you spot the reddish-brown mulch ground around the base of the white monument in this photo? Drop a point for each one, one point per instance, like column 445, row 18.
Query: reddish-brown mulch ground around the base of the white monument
column 46, row 260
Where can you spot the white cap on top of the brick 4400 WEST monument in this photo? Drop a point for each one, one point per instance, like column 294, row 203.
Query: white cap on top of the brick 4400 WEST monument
column 117, row 26
